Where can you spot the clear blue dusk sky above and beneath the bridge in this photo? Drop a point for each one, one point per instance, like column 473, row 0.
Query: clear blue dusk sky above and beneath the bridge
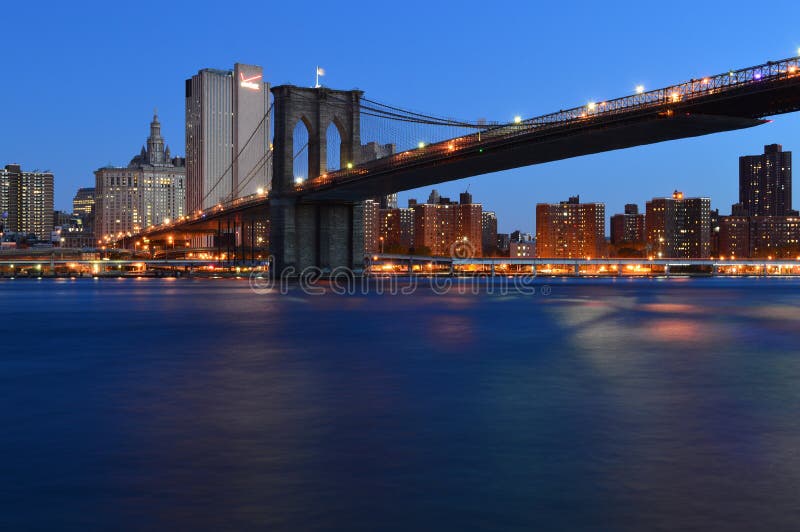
column 81, row 79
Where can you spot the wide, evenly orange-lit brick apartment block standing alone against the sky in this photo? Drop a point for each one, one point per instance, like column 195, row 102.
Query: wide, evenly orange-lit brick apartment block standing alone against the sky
column 570, row 229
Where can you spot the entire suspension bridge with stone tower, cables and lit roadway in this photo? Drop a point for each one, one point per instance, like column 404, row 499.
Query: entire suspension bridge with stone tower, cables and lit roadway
column 315, row 217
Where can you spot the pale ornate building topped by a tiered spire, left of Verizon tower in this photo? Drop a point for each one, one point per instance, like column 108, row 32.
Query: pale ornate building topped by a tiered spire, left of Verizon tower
column 149, row 190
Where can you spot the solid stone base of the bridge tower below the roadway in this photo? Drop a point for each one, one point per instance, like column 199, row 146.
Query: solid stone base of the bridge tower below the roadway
column 324, row 236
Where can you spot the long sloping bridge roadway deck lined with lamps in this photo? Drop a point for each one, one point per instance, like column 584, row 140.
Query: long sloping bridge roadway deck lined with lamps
column 724, row 102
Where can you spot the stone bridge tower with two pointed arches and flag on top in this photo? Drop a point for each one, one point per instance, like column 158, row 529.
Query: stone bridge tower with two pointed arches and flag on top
column 327, row 235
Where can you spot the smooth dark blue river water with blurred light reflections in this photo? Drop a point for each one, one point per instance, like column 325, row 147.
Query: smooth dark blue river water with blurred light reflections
column 199, row 405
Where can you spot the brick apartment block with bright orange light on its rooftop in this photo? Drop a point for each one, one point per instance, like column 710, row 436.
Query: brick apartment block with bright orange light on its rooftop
column 678, row 227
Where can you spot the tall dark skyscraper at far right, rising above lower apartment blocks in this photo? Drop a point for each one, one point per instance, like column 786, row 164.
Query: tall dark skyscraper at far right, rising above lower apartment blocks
column 765, row 183
